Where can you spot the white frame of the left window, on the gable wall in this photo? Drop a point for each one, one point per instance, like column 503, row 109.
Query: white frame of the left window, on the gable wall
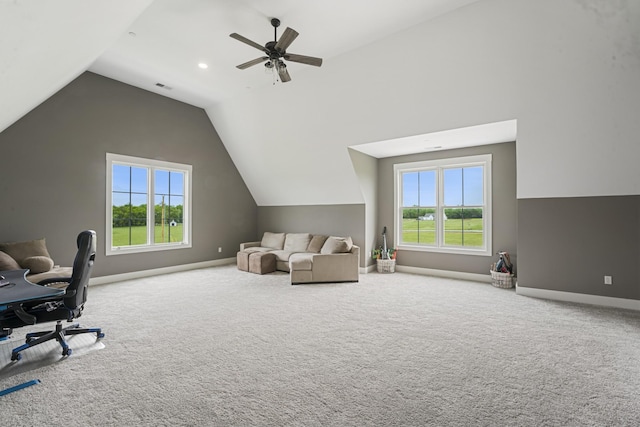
column 151, row 165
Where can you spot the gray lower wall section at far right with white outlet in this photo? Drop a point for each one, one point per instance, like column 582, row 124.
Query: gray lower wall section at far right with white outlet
column 570, row 244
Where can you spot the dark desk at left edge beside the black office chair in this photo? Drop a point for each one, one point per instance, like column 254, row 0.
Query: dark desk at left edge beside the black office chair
column 16, row 290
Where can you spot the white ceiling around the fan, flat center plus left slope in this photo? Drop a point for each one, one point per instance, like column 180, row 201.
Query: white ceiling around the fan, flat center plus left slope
column 144, row 42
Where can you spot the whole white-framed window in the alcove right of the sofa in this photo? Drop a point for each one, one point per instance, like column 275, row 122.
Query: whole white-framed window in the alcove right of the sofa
column 444, row 205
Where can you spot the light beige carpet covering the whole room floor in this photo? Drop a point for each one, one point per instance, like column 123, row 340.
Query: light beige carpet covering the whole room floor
column 218, row 347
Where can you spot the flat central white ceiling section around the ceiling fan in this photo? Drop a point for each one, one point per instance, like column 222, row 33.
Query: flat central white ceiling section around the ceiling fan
column 171, row 37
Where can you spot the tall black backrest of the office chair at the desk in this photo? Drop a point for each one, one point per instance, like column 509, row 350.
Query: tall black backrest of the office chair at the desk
column 76, row 292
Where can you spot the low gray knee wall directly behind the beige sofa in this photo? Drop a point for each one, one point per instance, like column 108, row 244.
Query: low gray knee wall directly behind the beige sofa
column 335, row 220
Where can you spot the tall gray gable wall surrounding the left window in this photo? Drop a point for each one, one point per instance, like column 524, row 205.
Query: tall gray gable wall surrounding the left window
column 52, row 179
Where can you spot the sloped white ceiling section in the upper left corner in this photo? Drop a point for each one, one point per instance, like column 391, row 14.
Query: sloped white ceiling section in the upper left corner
column 44, row 45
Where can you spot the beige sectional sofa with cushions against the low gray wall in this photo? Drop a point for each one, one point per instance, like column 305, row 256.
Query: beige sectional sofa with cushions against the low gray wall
column 307, row 257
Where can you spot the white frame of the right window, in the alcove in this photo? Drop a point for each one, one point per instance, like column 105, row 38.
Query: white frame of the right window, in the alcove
column 440, row 165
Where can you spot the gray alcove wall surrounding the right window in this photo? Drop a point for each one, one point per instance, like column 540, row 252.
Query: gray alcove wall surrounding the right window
column 504, row 209
